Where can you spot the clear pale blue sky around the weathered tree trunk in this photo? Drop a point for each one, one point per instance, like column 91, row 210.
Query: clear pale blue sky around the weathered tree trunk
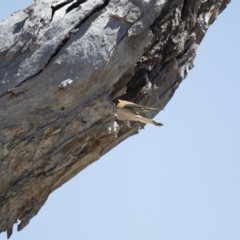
column 179, row 182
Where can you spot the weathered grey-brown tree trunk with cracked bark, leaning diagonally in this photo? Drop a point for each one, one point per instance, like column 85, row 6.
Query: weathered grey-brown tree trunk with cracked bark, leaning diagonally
column 62, row 62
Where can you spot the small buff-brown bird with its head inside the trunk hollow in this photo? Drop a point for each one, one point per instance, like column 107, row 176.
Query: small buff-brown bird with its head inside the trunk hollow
column 133, row 112
